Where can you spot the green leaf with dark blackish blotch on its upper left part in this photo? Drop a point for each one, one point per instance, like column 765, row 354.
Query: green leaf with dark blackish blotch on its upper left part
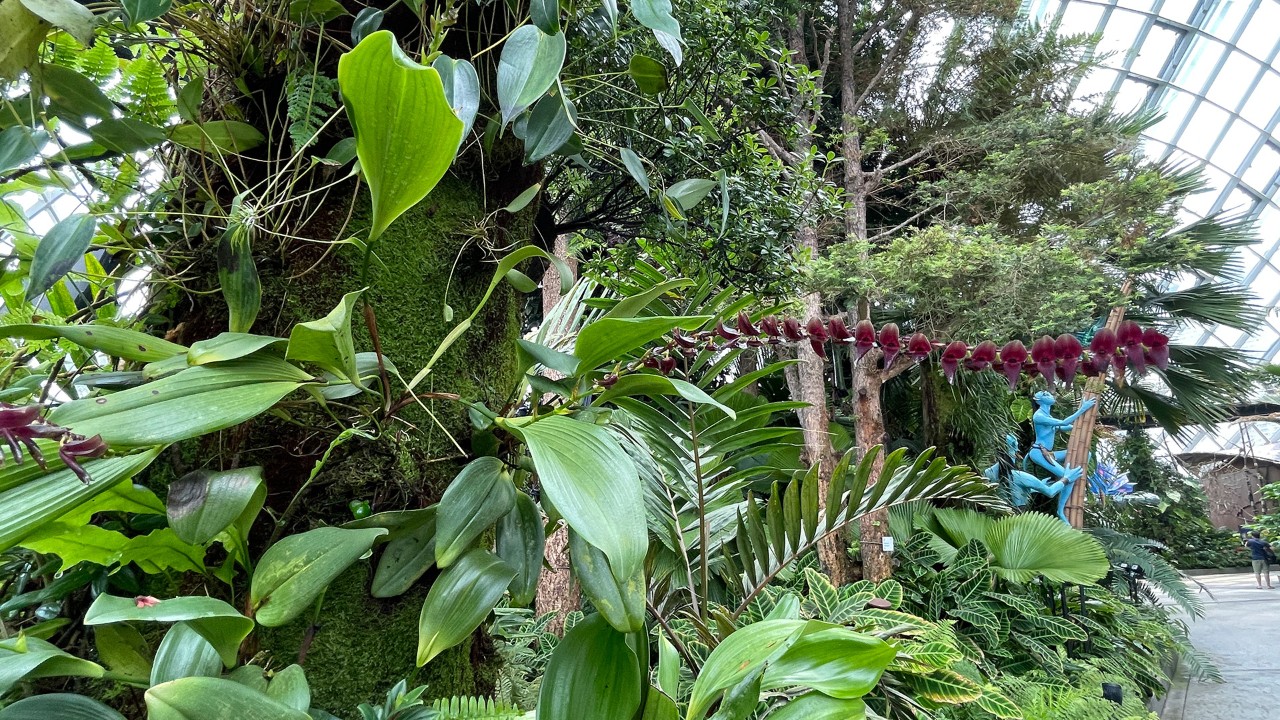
column 205, row 503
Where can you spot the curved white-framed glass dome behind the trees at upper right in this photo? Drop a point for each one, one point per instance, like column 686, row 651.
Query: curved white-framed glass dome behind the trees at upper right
column 1213, row 69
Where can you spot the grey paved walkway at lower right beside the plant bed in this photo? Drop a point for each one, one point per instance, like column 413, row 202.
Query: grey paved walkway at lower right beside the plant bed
column 1241, row 631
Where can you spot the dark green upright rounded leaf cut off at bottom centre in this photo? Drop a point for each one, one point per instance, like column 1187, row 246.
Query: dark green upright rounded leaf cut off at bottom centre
column 592, row 668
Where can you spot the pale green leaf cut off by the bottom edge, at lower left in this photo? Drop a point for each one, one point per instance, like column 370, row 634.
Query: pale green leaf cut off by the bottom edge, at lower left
column 214, row 699
